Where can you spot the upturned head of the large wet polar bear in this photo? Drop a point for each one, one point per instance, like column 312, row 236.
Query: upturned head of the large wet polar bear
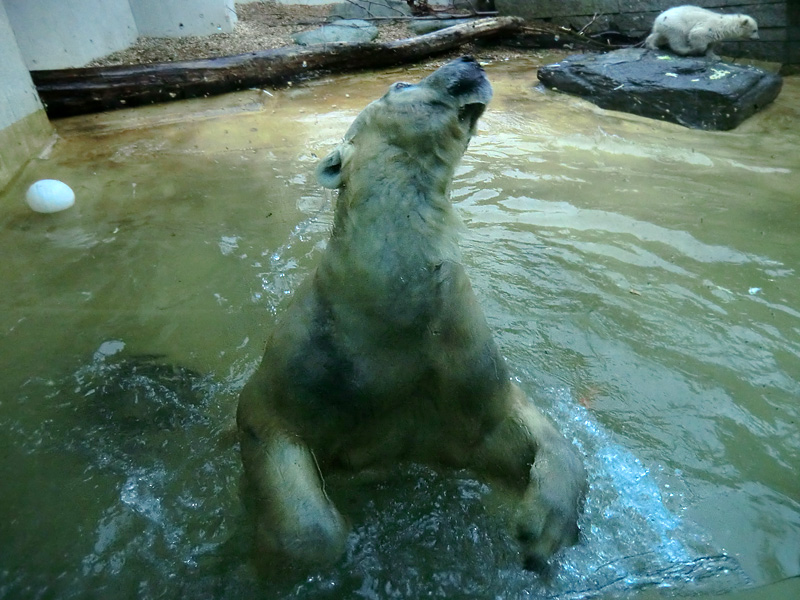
column 424, row 126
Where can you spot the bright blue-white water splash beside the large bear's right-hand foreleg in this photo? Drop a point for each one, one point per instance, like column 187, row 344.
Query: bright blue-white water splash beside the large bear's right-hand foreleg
column 631, row 540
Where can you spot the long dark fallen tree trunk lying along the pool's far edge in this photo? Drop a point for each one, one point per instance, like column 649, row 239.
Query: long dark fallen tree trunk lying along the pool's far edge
column 68, row 92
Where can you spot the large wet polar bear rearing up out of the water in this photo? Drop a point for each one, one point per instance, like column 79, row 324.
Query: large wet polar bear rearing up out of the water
column 384, row 354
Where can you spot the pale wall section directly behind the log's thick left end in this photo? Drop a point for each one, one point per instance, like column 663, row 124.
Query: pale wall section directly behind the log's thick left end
column 57, row 34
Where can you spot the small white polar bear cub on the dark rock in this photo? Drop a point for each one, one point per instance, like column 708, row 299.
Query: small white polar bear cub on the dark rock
column 693, row 31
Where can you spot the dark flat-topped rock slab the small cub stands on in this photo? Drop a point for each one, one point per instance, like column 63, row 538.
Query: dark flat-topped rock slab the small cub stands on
column 694, row 92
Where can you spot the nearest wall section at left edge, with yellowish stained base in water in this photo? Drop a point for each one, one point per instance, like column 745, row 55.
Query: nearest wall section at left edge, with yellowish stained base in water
column 24, row 128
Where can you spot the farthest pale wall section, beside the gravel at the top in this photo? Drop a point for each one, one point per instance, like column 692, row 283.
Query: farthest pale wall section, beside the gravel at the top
column 177, row 18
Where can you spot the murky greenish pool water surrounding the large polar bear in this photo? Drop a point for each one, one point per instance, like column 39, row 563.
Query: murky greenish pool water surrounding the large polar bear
column 640, row 276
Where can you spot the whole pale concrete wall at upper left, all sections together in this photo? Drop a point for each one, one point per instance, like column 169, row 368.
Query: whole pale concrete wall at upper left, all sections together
column 60, row 34
